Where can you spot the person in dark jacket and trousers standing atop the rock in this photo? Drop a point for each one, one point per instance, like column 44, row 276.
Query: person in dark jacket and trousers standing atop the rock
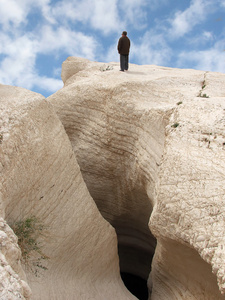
column 124, row 49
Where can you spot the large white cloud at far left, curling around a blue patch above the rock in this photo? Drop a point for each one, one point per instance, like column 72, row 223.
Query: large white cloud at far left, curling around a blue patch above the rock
column 18, row 64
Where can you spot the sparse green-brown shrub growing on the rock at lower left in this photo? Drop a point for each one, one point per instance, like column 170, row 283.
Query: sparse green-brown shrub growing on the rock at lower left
column 28, row 231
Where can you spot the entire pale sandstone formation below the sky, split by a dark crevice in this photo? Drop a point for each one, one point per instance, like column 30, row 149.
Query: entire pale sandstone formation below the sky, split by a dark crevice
column 130, row 158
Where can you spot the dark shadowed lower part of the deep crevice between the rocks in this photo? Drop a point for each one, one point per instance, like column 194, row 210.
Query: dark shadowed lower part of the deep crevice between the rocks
column 136, row 244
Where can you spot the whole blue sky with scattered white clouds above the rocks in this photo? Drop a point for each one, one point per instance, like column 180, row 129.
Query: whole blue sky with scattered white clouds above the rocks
column 37, row 36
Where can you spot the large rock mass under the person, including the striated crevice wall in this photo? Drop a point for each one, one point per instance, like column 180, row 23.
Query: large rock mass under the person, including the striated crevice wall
column 150, row 144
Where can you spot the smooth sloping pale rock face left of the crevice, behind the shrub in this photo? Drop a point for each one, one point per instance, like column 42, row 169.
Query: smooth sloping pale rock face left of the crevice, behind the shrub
column 40, row 177
